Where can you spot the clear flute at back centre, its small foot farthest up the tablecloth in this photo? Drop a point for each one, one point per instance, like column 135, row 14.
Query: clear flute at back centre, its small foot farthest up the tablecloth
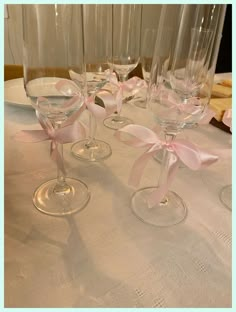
column 126, row 33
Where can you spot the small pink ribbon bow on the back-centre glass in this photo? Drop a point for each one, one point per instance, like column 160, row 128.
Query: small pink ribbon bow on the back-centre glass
column 133, row 84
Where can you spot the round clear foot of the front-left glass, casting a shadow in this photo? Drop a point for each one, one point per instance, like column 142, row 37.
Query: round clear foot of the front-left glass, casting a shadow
column 59, row 204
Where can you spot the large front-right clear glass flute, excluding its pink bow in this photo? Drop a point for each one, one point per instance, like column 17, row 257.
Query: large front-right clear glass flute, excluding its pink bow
column 179, row 92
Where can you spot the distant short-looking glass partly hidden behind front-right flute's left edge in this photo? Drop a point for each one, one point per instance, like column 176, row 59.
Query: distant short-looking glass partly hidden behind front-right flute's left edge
column 147, row 48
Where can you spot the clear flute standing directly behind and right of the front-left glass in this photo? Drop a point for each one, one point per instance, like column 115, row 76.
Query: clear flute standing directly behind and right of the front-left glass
column 97, row 20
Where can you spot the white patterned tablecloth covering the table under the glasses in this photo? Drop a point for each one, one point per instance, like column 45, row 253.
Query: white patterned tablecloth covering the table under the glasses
column 104, row 256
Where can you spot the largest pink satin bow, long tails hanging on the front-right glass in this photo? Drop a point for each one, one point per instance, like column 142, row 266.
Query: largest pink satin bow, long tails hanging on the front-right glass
column 192, row 156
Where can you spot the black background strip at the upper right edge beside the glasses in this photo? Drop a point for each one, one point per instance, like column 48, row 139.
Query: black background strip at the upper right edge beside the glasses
column 224, row 61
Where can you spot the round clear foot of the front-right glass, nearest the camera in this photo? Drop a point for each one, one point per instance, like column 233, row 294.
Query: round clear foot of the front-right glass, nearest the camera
column 172, row 210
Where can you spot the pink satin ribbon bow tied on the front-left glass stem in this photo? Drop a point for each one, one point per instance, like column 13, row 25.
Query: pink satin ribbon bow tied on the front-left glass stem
column 69, row 131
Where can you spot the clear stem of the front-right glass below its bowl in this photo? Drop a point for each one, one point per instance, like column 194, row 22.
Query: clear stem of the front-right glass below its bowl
column 165, row 164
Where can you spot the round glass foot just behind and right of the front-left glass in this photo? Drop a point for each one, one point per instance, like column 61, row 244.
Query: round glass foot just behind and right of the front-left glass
column 95, row 151
